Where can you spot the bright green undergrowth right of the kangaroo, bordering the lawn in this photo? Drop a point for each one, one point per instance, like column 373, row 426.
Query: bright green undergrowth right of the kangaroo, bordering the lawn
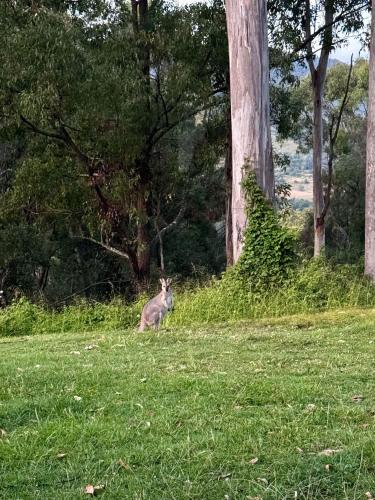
column 314, row 286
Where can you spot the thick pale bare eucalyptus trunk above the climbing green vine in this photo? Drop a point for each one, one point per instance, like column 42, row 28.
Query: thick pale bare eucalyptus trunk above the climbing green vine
column 249, row 93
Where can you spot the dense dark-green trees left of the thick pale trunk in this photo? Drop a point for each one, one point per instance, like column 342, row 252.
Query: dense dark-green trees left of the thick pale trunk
column 111, row 133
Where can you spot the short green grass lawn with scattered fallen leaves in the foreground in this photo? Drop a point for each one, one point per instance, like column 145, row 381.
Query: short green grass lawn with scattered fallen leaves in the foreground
column 186, row 413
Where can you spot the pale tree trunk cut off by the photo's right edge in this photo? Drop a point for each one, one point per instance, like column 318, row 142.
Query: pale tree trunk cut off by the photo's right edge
column 370, row 167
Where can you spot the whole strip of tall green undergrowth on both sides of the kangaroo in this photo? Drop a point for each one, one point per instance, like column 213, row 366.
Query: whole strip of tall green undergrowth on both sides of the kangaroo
column 314, row 286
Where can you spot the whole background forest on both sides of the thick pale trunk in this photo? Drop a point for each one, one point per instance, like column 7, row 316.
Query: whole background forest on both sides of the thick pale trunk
column 115, row 143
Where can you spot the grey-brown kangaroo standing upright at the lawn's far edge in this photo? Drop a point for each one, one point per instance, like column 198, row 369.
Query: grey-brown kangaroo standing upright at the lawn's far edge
column 155, row 310
